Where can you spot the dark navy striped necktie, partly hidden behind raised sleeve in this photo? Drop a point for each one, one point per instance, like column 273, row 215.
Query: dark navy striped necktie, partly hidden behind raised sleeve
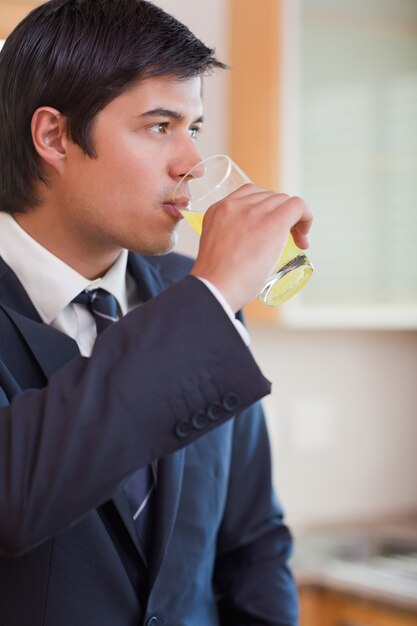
column 140, row 487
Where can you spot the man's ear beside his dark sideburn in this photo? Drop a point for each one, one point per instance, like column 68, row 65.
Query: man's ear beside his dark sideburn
column 49, row 137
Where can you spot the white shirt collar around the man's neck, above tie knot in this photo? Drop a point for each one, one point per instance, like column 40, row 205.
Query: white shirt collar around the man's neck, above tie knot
column 42, row 273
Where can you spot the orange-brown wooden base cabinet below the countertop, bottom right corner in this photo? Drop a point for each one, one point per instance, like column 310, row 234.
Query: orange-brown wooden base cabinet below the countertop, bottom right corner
column 324, row 607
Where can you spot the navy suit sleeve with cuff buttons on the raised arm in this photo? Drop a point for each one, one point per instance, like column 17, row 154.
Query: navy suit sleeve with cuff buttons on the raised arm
column 67, row 447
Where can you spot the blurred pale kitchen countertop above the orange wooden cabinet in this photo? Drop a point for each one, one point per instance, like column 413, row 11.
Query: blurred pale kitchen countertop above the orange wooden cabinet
column 373, row 560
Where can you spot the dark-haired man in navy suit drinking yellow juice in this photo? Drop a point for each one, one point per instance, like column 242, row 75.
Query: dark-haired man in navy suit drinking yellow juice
column 100, row 102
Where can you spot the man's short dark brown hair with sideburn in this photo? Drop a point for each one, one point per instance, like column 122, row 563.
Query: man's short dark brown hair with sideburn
column 77, row 56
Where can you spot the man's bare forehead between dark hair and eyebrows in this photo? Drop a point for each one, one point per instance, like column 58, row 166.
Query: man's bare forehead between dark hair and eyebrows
column 163, row 92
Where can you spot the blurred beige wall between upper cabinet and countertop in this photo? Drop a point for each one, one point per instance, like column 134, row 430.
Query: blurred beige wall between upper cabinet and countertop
column 342, row 418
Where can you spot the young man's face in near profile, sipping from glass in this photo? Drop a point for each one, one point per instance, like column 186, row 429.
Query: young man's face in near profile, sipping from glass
column 144, row 142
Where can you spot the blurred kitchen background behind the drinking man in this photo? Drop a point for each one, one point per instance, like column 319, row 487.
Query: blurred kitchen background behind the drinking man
column 321, row 101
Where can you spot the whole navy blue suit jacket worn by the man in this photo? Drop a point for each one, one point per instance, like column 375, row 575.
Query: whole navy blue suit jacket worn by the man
column 170, row 381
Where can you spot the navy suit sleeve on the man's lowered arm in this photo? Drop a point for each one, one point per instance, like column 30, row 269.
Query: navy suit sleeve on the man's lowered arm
column 252, row 577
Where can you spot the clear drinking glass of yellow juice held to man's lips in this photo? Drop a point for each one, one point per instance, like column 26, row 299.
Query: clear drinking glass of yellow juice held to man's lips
column 220, row 177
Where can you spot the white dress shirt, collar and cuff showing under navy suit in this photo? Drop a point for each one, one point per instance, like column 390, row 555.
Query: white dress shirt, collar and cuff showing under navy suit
column 43, row 274
